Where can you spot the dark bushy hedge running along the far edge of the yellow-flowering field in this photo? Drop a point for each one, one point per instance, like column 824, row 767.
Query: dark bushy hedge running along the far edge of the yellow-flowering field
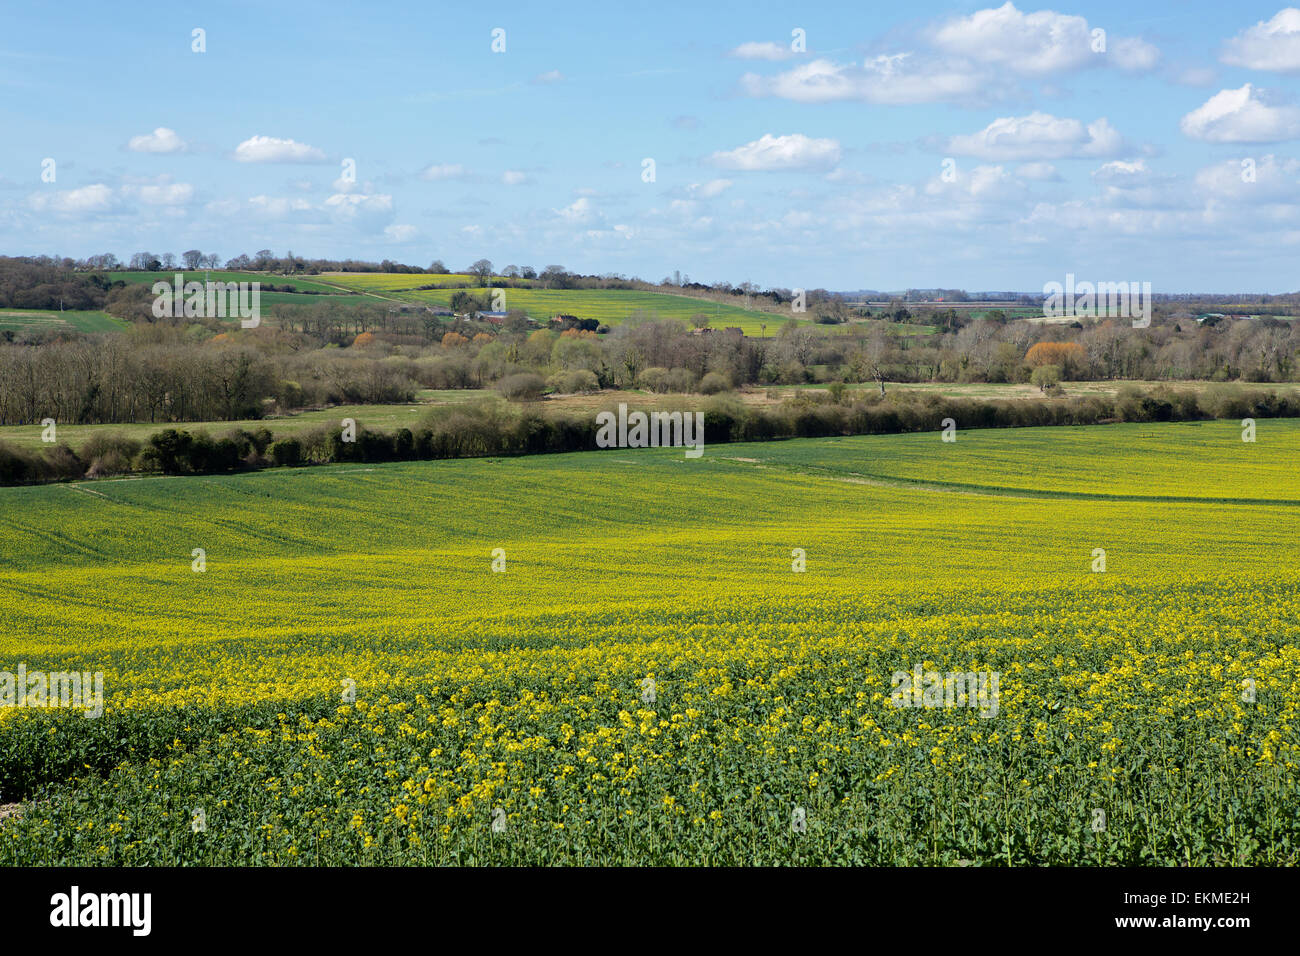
column 496, row 427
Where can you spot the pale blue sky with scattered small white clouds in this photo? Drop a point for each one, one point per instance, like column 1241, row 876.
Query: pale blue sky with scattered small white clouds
column 965, row 145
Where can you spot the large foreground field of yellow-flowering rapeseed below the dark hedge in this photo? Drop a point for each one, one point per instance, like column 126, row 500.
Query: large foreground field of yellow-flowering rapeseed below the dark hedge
column 648, row 678
